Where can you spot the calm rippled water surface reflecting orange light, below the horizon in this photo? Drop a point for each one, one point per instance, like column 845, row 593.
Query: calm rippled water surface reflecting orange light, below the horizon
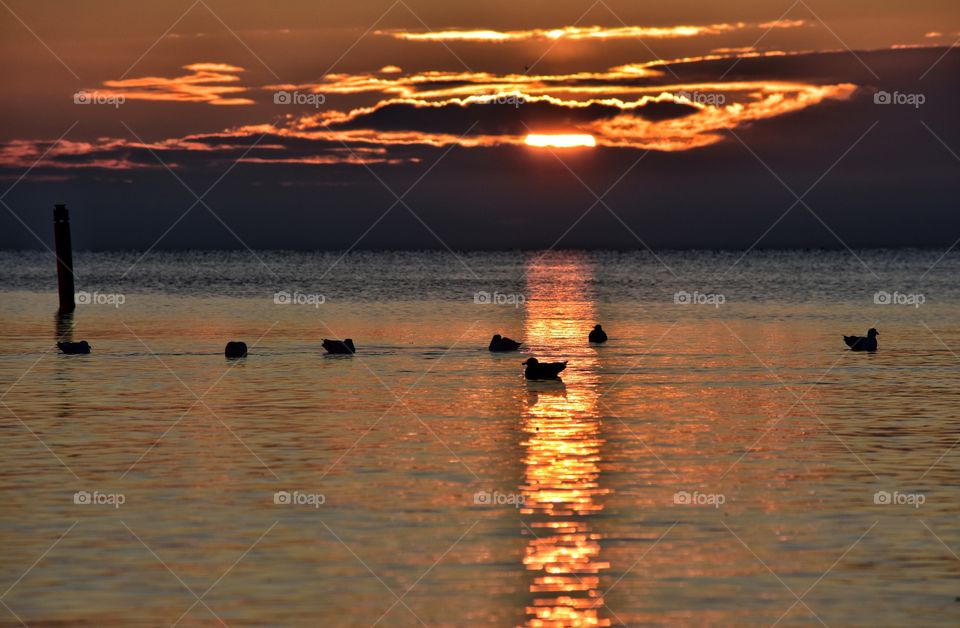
column 456, row 493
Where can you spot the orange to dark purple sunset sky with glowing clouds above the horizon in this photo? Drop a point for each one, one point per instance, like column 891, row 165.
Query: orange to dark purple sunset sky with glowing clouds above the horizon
column 497, row 125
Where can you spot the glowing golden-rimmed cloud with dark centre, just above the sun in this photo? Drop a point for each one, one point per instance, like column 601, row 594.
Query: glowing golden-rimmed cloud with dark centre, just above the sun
column 686, row 117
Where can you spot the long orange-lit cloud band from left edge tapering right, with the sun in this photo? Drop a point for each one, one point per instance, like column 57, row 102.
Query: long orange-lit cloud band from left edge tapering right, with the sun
column 353, row 138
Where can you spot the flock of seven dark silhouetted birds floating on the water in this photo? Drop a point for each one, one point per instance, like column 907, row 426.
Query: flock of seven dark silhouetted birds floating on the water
column 534, row 370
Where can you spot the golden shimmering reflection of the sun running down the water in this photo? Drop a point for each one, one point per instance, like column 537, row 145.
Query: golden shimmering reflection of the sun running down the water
column 562, row 450
